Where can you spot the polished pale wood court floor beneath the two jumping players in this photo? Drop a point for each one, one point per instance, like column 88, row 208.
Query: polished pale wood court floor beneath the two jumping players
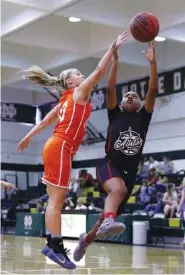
column 21, row 255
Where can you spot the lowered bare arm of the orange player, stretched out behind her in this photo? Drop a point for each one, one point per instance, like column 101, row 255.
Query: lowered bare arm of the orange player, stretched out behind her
column 46, row 122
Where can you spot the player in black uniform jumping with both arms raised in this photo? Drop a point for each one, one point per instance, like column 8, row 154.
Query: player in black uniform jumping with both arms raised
column 128, row 126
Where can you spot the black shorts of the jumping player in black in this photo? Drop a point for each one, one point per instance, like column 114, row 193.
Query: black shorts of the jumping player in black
column 106, row 170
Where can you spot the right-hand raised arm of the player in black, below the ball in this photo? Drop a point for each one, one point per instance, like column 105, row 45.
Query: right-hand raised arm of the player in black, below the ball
column 153, row 83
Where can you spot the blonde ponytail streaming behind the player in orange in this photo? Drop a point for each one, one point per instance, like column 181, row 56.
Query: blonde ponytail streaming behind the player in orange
column 38, row 76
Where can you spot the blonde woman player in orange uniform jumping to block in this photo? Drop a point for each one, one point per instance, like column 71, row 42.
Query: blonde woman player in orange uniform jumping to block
column 72, row 113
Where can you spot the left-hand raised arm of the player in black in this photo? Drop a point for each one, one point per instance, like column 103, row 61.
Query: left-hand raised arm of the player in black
column 111, row 91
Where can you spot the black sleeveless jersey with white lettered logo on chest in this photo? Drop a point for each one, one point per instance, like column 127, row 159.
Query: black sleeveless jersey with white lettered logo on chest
column 126, row 137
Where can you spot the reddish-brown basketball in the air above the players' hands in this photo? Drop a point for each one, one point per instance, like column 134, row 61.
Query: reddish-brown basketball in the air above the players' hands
column 144, row 27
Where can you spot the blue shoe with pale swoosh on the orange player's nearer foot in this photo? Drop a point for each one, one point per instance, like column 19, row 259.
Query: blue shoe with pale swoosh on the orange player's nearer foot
column 61, row 259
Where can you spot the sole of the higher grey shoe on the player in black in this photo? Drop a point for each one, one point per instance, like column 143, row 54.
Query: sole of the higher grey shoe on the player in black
column 112, row 230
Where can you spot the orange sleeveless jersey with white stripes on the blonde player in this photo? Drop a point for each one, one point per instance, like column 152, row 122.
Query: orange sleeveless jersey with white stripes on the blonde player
column 72, row 120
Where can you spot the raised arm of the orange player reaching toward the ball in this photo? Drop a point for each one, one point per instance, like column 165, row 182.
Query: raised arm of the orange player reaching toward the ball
column 82, row 93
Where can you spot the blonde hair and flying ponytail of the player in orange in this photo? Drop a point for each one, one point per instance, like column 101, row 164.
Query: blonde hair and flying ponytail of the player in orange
column 39, row 76
